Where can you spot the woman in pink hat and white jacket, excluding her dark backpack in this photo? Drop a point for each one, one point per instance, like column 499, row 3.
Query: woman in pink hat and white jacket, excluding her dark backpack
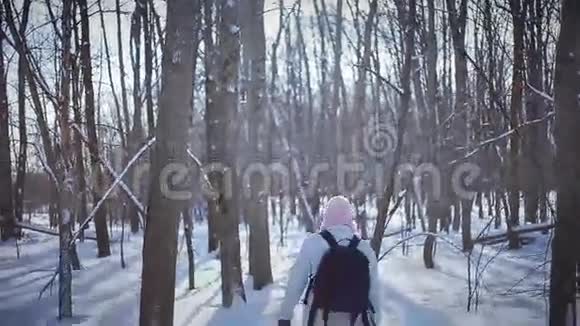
column 338, row 220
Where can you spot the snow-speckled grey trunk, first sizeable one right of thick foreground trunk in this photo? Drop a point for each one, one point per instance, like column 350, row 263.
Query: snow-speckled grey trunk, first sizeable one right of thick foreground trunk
column 220, row 137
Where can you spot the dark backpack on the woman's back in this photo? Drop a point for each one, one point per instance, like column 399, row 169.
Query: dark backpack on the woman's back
column 341, row 283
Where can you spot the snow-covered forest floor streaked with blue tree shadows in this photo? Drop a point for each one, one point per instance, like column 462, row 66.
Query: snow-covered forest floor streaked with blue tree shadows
column 511, row 290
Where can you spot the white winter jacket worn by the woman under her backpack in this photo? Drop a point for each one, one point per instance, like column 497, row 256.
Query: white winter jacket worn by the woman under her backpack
column 306, row 265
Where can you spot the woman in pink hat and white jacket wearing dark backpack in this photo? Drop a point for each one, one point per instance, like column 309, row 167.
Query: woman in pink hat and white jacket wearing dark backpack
column 338, row 271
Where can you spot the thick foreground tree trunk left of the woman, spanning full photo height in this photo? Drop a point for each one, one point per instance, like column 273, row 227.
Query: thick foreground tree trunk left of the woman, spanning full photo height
column 169, row 155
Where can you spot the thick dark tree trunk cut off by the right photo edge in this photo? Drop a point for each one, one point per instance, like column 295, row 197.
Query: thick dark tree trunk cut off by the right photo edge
column 565, row 255
